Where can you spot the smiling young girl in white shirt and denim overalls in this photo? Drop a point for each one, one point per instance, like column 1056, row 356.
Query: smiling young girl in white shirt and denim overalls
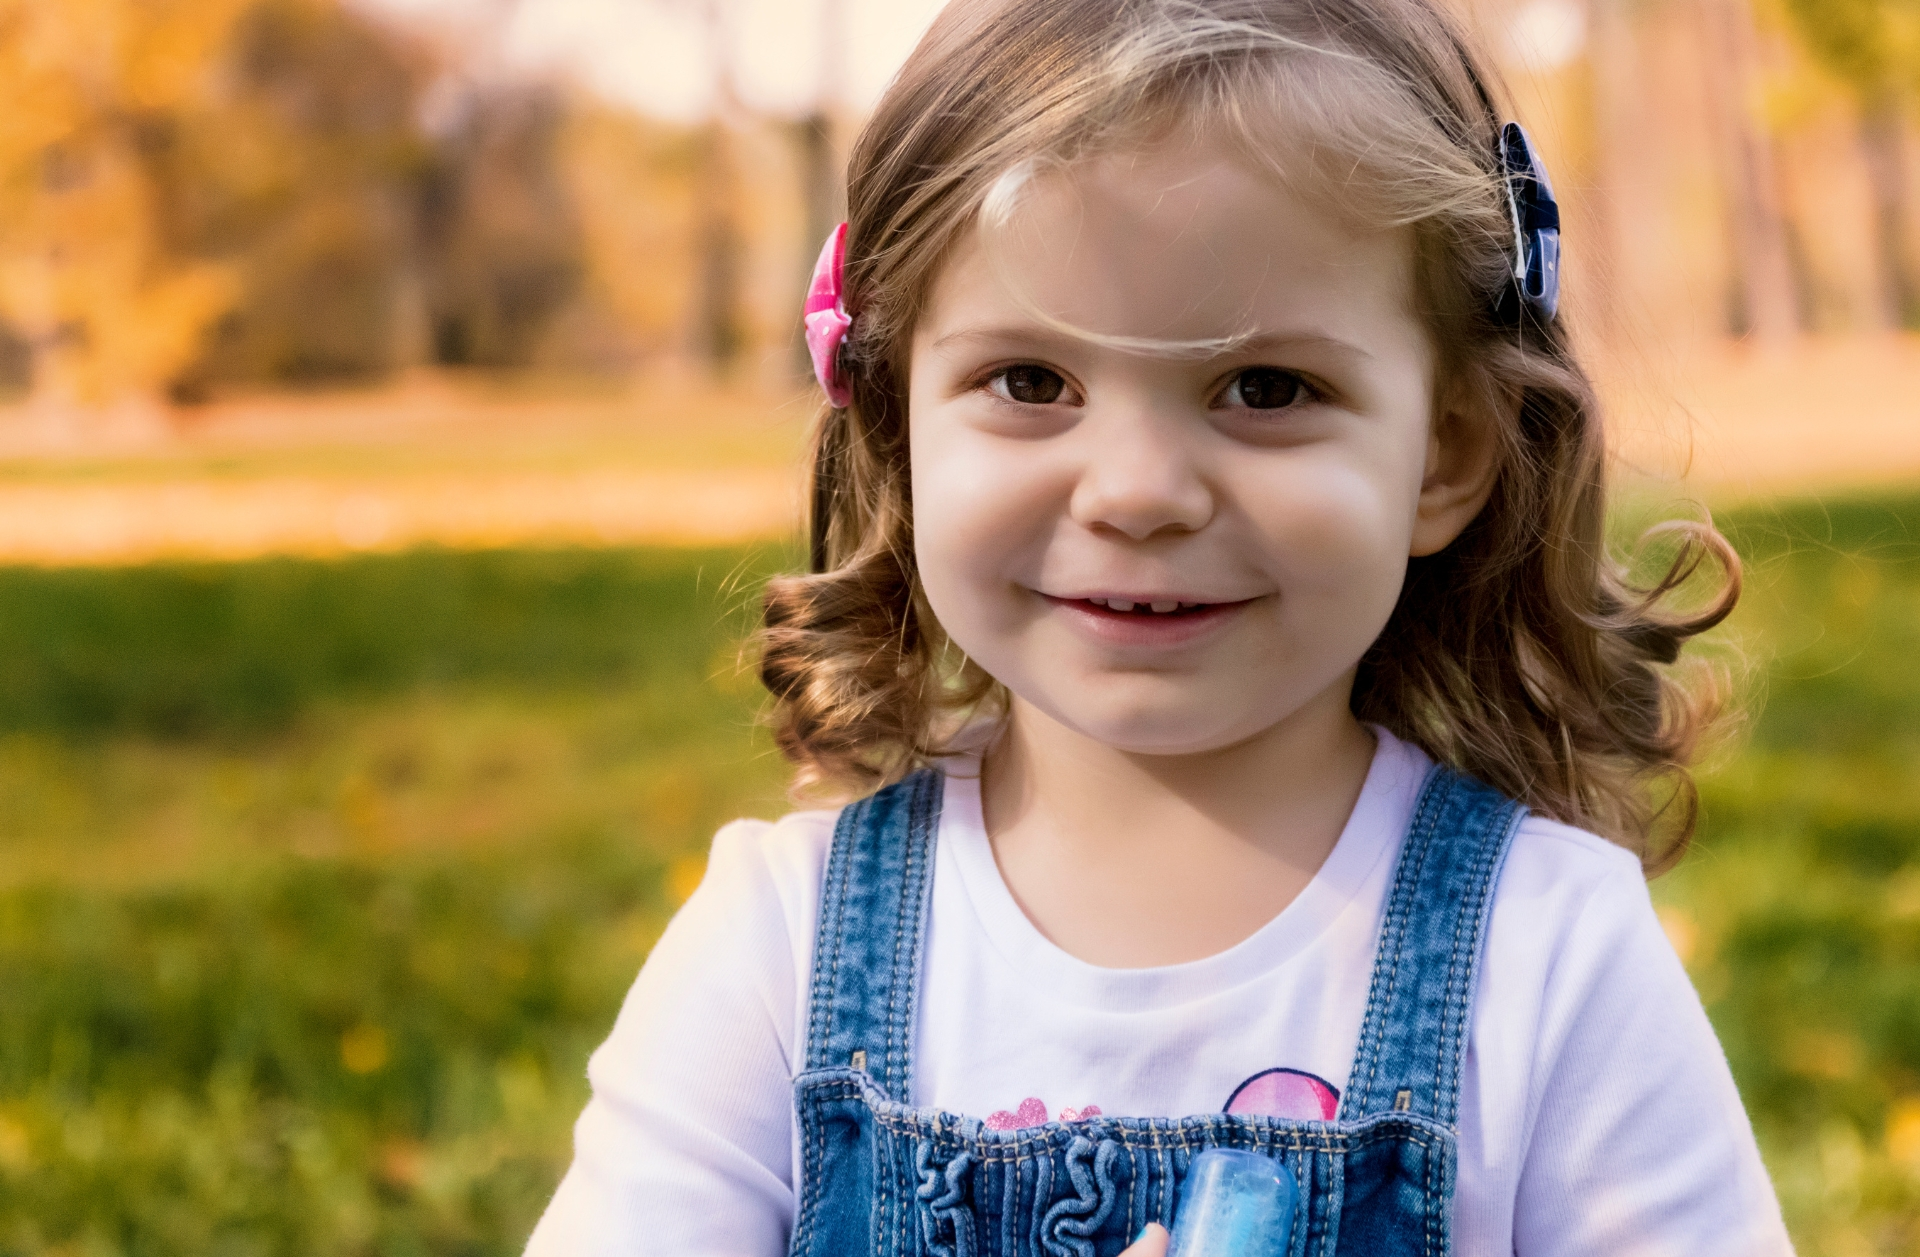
column 1211, row 575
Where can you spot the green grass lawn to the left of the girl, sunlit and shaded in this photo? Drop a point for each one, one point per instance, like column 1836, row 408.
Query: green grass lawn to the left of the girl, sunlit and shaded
column 320, row 882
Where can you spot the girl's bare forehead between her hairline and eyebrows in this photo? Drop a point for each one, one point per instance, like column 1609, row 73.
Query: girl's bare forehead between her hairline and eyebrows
column 1178, row 249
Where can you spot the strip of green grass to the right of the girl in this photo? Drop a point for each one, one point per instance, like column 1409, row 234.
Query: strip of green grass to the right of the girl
column 1802, row 901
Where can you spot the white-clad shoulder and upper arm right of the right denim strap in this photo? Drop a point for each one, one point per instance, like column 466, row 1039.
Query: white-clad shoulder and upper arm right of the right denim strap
column 1598, row 1074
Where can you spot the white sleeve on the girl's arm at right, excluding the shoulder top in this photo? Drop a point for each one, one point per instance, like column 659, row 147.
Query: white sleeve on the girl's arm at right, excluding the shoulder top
column 1639, row 1145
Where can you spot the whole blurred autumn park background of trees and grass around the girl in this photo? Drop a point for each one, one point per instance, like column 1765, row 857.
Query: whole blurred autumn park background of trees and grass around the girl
column 400, row 402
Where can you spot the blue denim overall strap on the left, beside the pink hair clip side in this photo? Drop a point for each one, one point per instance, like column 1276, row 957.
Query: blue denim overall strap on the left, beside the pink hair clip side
column 869, row 943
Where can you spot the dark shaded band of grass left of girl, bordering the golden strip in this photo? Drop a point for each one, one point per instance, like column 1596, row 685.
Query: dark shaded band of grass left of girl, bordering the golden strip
column 247, row 650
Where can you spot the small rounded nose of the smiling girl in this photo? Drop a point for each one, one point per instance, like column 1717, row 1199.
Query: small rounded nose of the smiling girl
column 1140, row 479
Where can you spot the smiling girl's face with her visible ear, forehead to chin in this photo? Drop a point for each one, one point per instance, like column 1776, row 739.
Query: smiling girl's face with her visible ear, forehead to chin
column 1178, row 552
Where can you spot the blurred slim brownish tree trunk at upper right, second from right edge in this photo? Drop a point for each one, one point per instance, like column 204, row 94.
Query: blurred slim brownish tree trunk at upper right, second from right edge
column 1765, row 291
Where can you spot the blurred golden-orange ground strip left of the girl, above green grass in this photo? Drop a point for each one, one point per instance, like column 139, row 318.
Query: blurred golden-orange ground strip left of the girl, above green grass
column 433, row 462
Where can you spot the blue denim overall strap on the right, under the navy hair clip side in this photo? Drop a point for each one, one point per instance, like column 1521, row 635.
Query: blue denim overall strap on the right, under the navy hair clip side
column 1414, row 1039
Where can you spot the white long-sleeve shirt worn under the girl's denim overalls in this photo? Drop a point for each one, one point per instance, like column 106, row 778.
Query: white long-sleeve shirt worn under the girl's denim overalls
column 1598, row 1116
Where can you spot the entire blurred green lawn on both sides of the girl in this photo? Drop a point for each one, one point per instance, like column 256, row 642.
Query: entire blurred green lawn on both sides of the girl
column 320, row 880
